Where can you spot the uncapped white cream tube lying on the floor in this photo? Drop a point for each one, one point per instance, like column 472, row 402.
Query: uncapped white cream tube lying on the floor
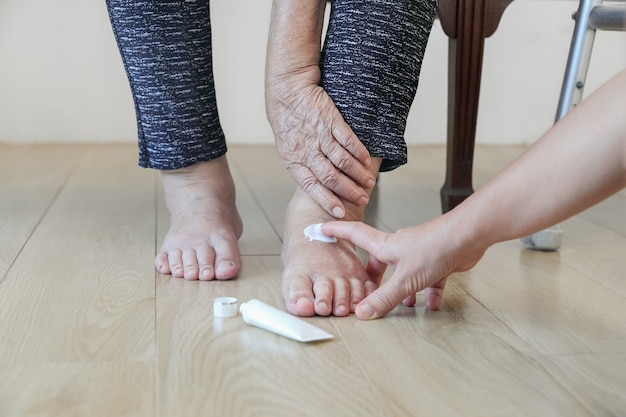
column 262, row 315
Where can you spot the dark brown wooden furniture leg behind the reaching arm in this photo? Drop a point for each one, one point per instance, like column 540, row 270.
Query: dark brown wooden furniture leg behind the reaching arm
column 467, row 23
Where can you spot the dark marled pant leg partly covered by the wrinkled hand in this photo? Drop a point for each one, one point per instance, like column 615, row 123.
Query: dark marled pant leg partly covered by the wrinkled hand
column 370, row 67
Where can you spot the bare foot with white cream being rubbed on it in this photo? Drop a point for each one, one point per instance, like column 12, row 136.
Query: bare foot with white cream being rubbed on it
column 321, row 278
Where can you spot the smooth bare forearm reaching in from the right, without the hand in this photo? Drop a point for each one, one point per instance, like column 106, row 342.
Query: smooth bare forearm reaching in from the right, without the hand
column 576, row 164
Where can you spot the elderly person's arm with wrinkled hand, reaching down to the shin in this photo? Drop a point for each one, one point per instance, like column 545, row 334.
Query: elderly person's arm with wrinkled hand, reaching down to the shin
column 314, row 142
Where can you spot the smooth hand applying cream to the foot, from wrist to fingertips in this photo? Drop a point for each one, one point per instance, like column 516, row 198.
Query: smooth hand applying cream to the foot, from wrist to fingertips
column 422, row 257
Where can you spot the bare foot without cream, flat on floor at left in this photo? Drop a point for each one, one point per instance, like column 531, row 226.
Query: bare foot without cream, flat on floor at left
column 201, row 242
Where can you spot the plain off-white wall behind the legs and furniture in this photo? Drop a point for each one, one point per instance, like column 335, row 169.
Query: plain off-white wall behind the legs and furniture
column 62, row 80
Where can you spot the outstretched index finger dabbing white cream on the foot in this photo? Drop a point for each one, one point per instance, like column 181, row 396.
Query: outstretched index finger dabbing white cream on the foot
column 360, row 234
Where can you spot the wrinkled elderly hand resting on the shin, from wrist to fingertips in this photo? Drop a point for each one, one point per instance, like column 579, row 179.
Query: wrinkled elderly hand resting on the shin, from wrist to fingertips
column 319, row 149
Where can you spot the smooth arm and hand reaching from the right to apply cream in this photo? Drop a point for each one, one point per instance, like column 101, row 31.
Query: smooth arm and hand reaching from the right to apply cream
column 576, row 164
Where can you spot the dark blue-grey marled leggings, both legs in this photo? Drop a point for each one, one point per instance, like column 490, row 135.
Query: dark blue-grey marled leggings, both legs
column 370, row 67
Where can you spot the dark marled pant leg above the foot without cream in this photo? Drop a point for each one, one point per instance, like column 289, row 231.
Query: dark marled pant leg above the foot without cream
column 166, row 50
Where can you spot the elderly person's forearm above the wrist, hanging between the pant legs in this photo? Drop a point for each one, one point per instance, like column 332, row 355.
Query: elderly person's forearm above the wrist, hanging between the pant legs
column 294, row 44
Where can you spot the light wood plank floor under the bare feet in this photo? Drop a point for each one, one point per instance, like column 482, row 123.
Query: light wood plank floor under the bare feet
column 87, row 328
